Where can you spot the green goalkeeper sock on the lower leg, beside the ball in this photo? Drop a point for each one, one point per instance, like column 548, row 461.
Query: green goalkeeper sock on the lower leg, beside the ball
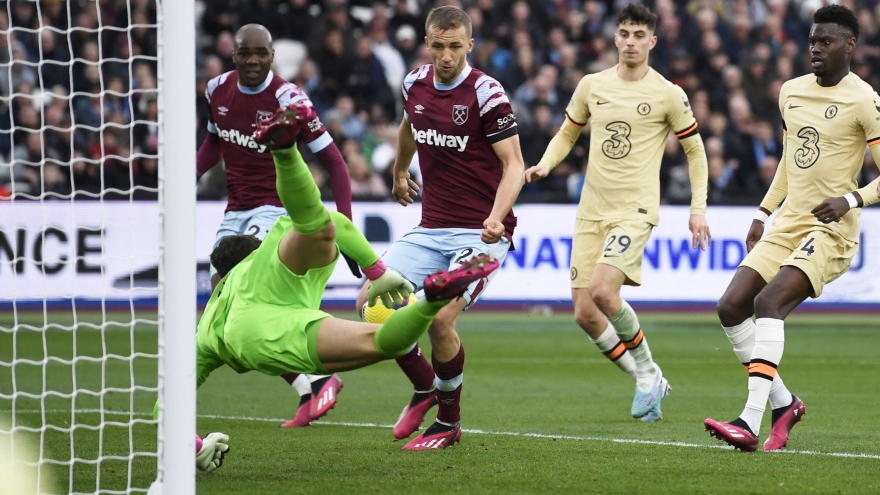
column 403, row 328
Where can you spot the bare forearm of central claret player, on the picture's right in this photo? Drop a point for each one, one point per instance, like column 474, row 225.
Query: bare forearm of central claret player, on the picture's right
column 510, row 154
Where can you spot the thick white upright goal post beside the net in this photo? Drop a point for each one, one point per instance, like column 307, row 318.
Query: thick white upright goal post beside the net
column 177, row 267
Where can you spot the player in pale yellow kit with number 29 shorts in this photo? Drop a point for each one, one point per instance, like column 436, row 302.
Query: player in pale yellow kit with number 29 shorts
column 631, row 109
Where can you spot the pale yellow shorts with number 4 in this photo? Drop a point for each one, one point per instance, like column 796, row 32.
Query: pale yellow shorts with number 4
column 821, row 255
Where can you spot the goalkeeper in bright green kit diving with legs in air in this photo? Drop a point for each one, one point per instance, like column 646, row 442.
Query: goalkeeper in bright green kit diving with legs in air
column 263, row 315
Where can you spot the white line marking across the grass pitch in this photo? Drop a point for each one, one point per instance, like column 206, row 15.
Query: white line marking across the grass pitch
column 486, row 432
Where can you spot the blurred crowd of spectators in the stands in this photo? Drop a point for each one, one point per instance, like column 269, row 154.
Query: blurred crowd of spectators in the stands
column 78, row 106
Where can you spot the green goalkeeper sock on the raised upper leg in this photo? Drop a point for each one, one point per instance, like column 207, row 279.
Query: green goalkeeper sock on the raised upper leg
column 298, row 192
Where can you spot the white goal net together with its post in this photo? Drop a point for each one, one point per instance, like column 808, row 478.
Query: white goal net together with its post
column 97, row 264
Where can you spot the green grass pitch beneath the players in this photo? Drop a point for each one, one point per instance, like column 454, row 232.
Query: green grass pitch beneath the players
column 543, row 412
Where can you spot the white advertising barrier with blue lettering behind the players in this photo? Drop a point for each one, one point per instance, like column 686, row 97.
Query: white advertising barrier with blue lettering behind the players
column 100, row 255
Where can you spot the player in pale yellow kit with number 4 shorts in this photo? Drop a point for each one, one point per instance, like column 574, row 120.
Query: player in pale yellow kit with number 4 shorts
column 828, row 117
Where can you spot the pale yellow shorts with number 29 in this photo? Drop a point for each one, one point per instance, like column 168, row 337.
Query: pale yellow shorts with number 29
column 619, row 243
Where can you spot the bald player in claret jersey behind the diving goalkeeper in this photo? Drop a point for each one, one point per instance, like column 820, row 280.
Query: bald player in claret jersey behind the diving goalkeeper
column 237, row 101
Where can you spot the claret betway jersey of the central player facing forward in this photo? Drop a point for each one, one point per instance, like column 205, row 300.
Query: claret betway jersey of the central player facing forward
column 454, row 126
